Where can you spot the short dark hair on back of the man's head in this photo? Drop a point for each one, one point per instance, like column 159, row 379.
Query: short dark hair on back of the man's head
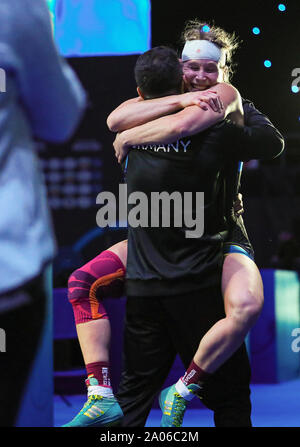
column 158, row 72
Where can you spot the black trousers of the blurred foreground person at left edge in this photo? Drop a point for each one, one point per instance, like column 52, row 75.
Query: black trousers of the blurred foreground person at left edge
column 23, row 327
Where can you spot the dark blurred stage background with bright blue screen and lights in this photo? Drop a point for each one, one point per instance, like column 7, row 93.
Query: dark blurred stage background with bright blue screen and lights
column 102, row 40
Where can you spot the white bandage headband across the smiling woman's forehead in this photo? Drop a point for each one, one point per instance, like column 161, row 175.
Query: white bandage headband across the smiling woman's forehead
column 202, row 49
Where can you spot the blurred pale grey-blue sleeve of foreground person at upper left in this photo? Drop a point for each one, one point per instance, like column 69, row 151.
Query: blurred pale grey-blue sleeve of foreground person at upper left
column 49, row 89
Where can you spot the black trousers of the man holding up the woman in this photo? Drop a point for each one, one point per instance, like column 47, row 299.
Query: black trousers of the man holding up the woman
column 156, row 329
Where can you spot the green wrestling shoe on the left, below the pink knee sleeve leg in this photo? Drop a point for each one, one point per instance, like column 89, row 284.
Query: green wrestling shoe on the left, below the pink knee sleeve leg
column 98, row 411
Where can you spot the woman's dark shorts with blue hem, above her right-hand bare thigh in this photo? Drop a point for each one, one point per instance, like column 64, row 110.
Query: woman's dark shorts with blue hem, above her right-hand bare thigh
column 238, row 241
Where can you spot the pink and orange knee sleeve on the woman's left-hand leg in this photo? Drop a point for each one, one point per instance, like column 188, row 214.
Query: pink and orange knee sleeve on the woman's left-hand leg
column 102, row 277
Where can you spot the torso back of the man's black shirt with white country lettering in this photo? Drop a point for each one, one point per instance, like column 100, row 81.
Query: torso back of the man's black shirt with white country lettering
column 163, row 260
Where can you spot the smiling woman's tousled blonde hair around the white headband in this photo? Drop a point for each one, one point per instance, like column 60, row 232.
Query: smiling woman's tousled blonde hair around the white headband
column 229, row 42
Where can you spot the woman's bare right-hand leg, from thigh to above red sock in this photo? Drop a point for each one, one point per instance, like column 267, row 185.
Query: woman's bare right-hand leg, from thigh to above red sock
column 243, row 300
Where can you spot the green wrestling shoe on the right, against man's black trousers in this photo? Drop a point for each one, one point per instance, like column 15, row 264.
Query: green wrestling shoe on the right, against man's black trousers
column 173, row 405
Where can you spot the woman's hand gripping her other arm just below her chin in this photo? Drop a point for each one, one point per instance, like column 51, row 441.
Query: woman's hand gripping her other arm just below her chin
column 203, row 99
